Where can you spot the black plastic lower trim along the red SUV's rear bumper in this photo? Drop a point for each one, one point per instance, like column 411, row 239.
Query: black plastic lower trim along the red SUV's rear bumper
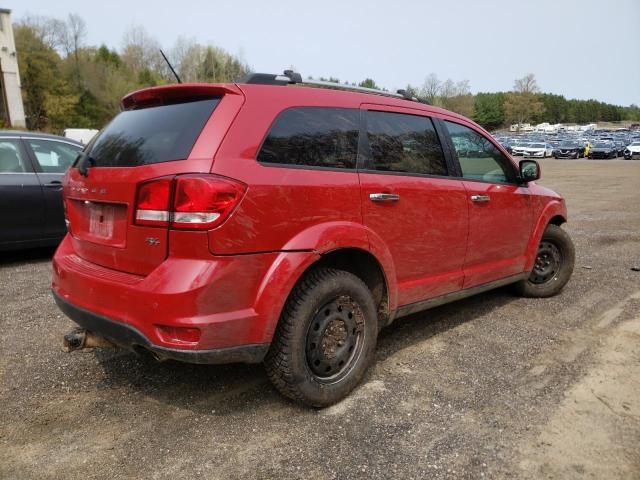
column 130, row 338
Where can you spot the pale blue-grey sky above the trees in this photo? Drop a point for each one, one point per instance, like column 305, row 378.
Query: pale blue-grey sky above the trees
column 577, row 48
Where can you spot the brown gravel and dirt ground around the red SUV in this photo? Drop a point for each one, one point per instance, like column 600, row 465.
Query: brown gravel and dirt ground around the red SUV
column 494, row 386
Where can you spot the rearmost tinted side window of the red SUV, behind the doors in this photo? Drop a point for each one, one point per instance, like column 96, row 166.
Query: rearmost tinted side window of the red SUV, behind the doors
column 313, row 137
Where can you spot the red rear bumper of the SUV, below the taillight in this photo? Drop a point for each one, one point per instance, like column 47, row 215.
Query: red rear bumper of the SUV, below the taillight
column 235, row 301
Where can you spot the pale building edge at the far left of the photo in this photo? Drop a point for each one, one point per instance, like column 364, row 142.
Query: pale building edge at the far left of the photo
column 11, row 107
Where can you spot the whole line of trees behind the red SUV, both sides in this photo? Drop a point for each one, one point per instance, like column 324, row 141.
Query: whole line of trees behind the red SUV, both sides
column 67, row 83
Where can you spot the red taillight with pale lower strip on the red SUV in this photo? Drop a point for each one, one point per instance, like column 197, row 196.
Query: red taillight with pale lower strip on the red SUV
column 187, row 201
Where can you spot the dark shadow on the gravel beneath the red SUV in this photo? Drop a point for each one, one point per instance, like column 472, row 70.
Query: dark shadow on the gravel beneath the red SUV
column 239, row 387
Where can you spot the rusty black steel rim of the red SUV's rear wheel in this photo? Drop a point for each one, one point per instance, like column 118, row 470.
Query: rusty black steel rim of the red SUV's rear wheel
column 334, row 339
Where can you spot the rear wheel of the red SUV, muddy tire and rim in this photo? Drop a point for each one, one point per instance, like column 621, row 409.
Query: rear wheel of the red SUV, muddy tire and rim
column 325, row 339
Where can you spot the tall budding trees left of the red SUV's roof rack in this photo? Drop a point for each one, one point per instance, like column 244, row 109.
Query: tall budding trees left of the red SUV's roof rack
column 67, row 83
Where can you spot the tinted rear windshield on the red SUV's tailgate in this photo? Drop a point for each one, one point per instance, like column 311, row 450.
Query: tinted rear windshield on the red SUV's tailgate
column 151, row 135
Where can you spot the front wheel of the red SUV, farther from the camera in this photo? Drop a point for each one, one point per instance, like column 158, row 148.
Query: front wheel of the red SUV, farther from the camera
column 553, row 265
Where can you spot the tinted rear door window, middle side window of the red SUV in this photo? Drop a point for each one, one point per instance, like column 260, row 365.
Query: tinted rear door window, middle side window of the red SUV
column 404, row 143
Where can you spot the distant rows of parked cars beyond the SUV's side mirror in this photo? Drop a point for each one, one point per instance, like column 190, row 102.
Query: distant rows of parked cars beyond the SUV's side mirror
column 598, row 144
